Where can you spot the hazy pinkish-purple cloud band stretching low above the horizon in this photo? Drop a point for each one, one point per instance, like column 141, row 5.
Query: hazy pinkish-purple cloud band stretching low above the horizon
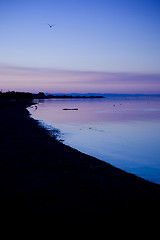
column 54, row 80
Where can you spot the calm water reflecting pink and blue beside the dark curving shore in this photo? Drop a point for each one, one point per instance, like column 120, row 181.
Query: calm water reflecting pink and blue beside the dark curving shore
column 123, row 132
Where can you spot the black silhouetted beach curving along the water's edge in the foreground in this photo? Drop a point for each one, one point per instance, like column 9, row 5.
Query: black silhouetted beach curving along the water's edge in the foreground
column 45, row 184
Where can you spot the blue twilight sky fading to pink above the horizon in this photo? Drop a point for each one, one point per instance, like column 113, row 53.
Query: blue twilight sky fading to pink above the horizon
column 96, row 46
